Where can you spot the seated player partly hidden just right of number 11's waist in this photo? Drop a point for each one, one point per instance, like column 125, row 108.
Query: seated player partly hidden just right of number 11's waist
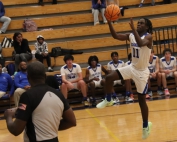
column 154, row 74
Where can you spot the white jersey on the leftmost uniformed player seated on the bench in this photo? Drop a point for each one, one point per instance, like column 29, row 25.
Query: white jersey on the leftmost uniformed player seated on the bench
column 71, row 74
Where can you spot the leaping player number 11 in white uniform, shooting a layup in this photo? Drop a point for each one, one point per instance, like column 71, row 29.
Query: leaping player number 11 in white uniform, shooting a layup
column 140, row 44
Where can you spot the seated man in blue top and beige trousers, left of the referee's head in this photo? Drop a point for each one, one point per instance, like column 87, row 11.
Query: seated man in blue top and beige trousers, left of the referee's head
column 21, row 82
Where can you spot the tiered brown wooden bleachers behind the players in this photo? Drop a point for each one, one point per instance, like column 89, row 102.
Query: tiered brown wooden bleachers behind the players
column 72, row 22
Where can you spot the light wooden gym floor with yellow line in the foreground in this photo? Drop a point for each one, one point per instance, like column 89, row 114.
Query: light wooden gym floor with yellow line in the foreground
column 120, row 123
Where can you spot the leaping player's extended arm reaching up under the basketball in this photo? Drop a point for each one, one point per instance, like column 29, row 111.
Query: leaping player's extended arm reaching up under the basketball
column 115, row 35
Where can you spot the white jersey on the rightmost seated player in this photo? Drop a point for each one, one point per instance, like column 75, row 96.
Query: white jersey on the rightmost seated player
column 168, row 65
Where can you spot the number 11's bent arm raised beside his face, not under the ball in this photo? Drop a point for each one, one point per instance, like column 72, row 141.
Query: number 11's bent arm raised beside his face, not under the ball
column 147, row 41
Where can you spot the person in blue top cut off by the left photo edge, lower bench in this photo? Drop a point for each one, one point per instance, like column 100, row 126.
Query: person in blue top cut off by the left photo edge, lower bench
column 5, row 83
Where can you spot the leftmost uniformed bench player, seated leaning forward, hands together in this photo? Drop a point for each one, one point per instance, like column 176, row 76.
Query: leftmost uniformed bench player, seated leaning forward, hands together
column 72, row 78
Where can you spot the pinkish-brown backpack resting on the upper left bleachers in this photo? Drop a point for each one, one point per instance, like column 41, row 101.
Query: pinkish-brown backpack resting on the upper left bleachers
column 29, row 25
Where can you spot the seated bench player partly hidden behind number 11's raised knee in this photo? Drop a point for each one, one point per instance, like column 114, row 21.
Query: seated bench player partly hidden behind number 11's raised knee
column 113, row 65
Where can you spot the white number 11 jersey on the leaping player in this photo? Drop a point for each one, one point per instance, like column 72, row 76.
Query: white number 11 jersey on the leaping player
column 140, row 55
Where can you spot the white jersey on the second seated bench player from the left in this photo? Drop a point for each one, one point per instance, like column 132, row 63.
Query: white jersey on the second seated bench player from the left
column 95, row 72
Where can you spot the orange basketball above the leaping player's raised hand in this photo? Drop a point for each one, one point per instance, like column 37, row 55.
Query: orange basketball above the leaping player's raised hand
column 112, row 12
